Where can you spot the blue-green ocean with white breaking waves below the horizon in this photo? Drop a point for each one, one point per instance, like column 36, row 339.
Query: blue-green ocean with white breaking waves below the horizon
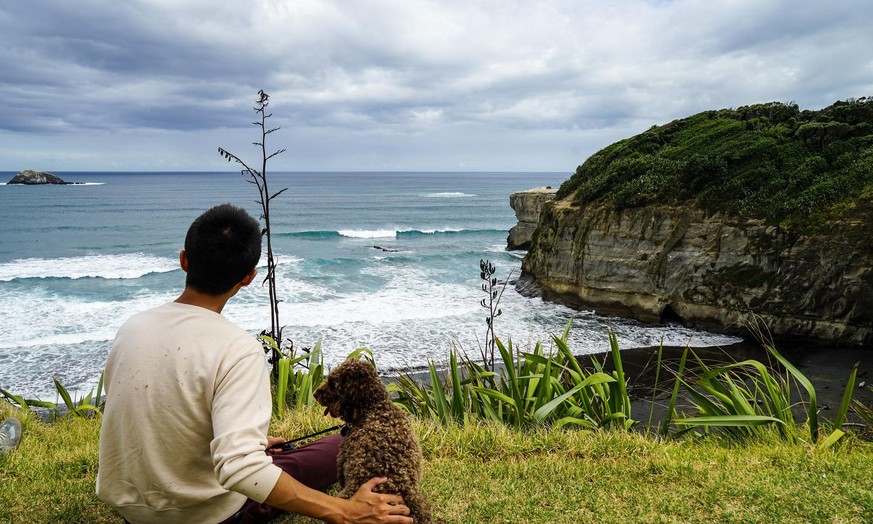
column 387, row 261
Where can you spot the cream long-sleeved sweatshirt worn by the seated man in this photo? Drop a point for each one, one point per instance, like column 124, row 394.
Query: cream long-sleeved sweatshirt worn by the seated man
column 187, row 409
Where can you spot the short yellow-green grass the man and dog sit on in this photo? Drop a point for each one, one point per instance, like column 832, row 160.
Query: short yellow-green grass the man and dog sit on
column 488, row 472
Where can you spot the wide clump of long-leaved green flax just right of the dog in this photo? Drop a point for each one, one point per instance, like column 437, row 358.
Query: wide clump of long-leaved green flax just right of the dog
column 526, row 389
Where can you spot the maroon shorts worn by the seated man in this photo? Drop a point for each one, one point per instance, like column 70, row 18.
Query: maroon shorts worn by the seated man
column 313, row 465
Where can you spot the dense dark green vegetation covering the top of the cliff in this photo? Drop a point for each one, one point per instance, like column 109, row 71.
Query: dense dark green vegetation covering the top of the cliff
column 771, row 161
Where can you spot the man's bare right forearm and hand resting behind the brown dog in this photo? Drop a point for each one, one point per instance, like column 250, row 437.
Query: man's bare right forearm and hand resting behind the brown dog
column 364, row 507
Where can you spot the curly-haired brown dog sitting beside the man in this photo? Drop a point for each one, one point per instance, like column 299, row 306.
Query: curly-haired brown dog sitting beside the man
column 379, row 442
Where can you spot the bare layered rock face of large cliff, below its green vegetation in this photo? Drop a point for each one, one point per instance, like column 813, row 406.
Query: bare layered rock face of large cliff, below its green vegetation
column 710, row 271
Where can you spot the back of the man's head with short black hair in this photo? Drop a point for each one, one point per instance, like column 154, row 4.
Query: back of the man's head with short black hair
column 222, row 247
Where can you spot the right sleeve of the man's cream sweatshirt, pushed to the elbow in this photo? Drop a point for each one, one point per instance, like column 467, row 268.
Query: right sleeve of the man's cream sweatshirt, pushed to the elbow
column 241, row 412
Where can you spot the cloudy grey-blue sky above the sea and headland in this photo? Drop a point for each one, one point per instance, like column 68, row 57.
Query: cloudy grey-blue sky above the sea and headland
column 400, row 85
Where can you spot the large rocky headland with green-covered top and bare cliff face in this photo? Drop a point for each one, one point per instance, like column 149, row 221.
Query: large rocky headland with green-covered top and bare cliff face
column 760, row 216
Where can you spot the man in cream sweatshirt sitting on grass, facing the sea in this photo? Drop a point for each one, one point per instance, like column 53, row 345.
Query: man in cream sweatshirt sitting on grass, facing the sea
column 188, row 404
